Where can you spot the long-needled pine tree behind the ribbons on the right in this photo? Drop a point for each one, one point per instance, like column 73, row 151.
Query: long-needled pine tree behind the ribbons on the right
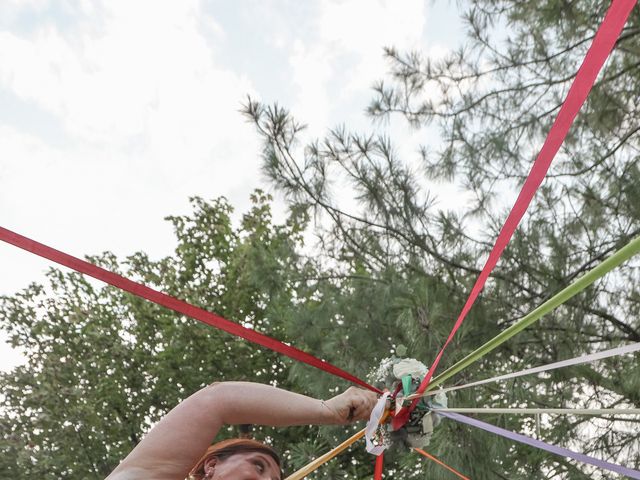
column 493, row 102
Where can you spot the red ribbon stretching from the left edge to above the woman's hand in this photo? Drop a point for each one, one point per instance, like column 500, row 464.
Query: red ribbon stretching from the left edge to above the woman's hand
column 175, row 304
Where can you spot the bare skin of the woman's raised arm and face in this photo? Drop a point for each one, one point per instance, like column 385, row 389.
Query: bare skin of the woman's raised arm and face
column 178, row 441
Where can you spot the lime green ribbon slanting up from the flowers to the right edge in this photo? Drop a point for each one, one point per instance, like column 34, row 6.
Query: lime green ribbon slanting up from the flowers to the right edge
column 626, row 252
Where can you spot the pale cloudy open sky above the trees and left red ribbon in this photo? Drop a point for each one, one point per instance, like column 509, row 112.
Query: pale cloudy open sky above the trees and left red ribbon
column 113, row 113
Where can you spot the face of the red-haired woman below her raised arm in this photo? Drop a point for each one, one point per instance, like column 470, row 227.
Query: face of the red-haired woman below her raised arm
column 246, row 466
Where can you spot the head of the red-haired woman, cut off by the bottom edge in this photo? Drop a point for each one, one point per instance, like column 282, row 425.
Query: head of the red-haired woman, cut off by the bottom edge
column 238, row 459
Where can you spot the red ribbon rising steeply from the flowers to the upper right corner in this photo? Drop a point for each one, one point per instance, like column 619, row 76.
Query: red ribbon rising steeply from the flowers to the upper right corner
column 602, row 45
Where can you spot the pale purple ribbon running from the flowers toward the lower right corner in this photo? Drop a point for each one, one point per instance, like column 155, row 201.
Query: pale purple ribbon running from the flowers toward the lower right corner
column 544, row 446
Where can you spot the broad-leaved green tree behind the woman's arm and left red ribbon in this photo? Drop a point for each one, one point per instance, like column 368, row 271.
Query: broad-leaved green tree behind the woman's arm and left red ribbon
column 103, row 365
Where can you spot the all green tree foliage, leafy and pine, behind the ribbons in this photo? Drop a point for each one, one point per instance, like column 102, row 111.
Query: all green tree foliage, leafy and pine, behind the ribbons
column 393, row 269
